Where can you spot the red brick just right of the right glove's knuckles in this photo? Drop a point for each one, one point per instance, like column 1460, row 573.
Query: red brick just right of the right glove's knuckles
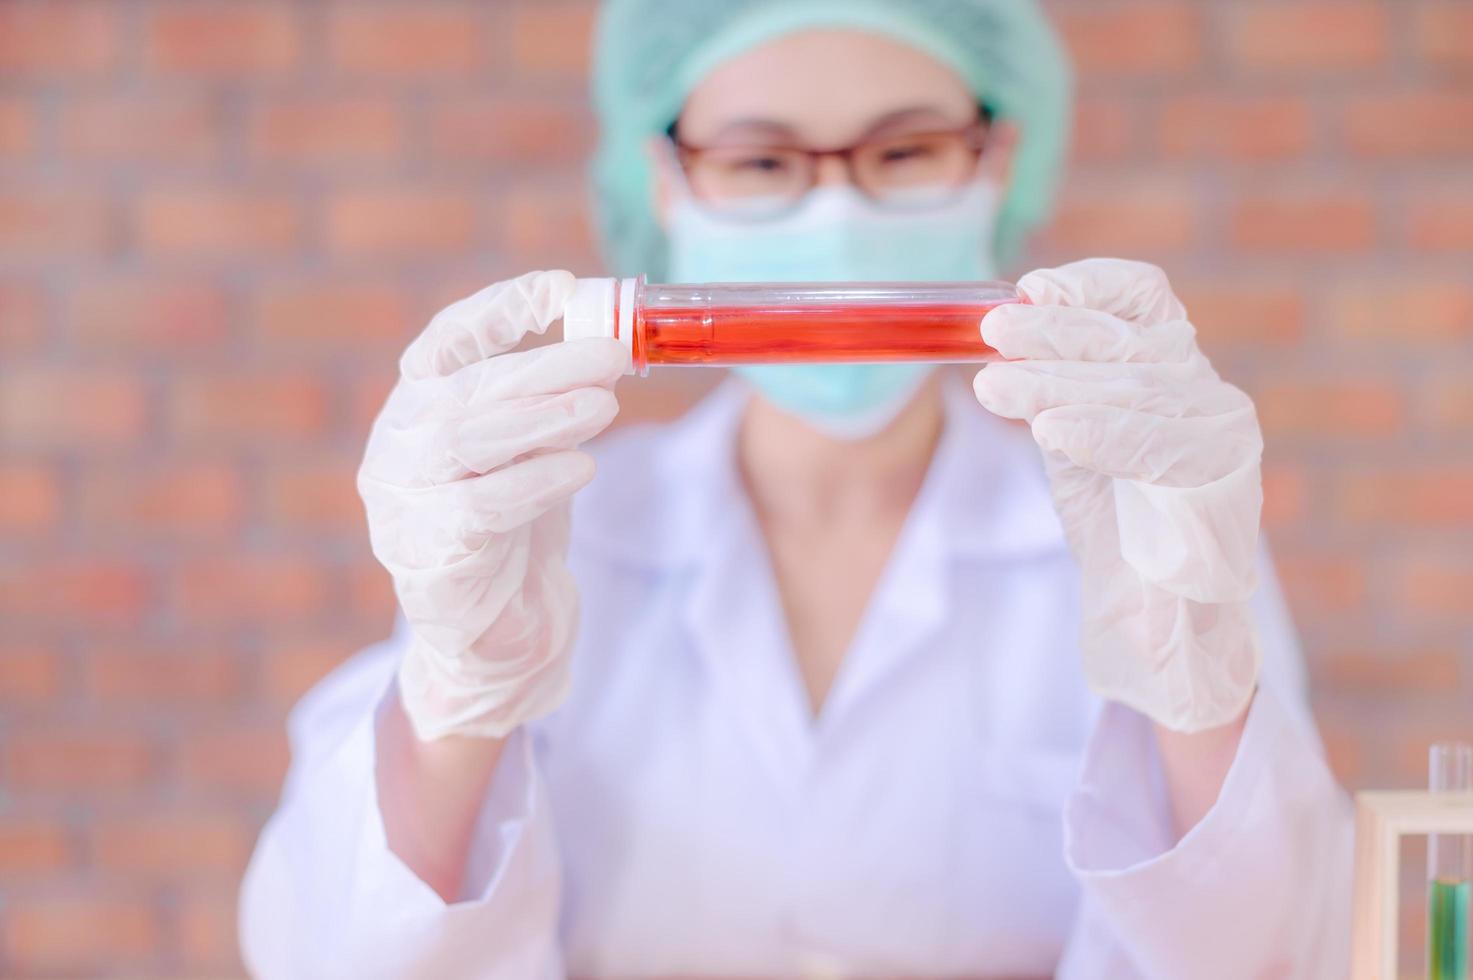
column 1341, row 409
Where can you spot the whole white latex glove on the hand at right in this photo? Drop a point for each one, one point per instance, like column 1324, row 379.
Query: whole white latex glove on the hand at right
column 1154, row 465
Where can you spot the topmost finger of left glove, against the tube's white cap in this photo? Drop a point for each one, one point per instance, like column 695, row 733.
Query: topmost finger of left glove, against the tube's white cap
column 485, row 323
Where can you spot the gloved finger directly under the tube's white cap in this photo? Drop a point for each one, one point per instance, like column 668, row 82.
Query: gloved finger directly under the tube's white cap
column 546, row 371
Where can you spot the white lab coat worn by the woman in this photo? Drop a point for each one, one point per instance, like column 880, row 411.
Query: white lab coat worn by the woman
column 963, row 807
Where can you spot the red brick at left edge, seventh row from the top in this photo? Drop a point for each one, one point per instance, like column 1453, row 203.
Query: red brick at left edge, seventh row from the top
column 104, row 592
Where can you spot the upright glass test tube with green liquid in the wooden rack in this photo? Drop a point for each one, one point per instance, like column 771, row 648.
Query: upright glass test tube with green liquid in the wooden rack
column 1450, row 870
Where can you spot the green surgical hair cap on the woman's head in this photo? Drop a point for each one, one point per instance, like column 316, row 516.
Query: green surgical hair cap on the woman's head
column 649, row 55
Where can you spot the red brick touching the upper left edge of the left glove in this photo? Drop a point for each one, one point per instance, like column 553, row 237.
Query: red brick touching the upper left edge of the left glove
column 342, row 319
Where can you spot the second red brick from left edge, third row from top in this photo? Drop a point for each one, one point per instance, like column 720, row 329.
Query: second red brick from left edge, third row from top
column 217, row 223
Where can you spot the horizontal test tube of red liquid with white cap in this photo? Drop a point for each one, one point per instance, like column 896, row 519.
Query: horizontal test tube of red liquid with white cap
column 786, row 323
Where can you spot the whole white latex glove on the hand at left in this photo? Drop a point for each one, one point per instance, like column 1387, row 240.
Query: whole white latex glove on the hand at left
column 466, row 483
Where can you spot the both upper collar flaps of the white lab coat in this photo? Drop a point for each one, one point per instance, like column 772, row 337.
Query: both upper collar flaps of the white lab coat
column 986, row 496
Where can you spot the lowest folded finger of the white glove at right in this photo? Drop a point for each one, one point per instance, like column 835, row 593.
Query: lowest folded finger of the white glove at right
column 1144, row 449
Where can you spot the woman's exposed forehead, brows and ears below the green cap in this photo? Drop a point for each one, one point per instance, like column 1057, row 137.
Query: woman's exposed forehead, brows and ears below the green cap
column 827, row 89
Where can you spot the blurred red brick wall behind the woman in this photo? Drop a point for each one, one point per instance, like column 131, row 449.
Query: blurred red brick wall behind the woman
column 222, row 222
